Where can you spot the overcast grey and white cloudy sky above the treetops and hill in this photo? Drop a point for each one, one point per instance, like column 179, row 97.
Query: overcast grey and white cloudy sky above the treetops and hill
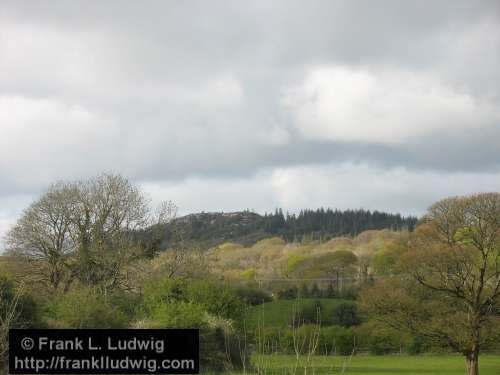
column 231, row 105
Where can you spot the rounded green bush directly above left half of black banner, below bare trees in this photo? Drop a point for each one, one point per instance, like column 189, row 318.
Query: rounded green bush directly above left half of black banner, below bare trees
column 84, row 308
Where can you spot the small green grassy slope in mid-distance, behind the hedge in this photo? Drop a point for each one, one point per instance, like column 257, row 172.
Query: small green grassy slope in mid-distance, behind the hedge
column 277, row 313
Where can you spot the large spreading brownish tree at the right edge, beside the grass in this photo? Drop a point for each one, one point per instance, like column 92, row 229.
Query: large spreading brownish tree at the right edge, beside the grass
column 449, row 287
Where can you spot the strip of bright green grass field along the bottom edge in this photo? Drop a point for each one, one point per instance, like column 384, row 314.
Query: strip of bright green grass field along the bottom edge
column 376, row 365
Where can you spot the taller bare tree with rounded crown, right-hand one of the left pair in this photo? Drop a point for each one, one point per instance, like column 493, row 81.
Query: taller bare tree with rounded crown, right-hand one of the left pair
column 106, row 210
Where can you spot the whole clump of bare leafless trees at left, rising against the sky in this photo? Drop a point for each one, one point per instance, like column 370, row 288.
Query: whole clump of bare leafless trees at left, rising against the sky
column 82, row 230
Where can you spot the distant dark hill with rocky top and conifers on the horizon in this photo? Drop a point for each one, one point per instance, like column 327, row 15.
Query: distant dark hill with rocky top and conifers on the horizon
column 246, row 228
